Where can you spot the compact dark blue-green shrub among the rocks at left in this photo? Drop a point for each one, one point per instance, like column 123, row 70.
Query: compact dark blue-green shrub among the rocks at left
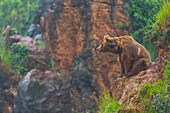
column 18, row 55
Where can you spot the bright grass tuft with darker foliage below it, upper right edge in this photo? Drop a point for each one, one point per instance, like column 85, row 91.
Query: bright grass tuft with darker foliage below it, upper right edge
column 159, row 29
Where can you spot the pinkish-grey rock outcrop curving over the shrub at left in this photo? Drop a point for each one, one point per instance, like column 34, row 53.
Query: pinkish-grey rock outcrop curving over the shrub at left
column 39, row 58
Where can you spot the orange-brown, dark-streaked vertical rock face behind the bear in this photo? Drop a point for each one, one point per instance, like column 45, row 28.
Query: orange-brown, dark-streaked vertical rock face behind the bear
column 73, row 28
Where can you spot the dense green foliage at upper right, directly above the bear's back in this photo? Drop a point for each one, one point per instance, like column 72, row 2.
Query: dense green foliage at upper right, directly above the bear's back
column 142, row 15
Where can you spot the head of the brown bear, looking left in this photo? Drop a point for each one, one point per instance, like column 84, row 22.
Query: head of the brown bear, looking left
column 109, row 44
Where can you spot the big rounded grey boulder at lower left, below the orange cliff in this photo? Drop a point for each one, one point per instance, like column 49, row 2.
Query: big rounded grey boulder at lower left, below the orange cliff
column 43, row 94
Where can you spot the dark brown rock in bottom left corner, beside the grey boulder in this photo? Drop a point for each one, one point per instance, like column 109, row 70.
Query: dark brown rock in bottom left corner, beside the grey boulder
column 7, row 91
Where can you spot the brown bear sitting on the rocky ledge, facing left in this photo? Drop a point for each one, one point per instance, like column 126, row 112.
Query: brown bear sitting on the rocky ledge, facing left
column 133, row 57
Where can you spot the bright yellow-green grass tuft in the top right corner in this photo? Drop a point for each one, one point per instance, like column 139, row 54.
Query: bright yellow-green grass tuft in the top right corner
column 163, row 14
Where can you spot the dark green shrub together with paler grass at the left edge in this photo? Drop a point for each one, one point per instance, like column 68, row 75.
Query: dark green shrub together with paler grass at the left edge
column 13, row 57
